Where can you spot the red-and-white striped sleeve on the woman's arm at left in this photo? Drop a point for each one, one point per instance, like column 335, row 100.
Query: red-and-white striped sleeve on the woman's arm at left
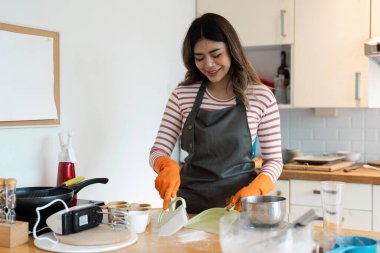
column 169, row 131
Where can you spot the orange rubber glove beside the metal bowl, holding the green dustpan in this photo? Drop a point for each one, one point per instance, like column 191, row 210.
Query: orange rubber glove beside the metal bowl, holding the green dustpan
column 261, row 185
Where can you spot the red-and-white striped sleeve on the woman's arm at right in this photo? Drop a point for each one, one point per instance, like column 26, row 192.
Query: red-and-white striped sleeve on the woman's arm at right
column 269, row 133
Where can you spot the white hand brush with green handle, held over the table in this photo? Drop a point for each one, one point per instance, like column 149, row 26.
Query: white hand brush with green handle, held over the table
column 172, row 220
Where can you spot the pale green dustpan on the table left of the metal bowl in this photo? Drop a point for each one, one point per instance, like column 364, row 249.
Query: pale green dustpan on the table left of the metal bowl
column 208, row 220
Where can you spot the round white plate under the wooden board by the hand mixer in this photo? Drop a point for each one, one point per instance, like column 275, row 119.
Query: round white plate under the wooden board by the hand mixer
column 61, row 247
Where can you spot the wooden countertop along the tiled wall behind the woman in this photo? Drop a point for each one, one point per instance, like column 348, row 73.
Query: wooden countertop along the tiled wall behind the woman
column 361, row 176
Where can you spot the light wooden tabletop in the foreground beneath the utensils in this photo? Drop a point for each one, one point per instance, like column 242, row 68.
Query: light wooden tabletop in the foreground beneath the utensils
column 185, row 241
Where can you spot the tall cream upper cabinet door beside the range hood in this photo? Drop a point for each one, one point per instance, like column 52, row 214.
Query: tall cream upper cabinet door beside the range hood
column 330, row 68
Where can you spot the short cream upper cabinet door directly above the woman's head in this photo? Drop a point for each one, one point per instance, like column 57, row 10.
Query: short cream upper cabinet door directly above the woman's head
column 258, row 22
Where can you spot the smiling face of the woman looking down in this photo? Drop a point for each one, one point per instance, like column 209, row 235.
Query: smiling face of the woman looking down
column 213, row 60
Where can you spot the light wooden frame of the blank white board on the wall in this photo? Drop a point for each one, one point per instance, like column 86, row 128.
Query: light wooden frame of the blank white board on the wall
column 55, row 37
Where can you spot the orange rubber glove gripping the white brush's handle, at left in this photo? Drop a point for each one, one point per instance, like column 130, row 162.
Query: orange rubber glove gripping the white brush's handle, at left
column 168, row 180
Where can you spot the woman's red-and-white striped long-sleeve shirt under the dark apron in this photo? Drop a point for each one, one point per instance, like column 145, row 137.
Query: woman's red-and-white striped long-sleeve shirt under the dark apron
column 263, row 121
